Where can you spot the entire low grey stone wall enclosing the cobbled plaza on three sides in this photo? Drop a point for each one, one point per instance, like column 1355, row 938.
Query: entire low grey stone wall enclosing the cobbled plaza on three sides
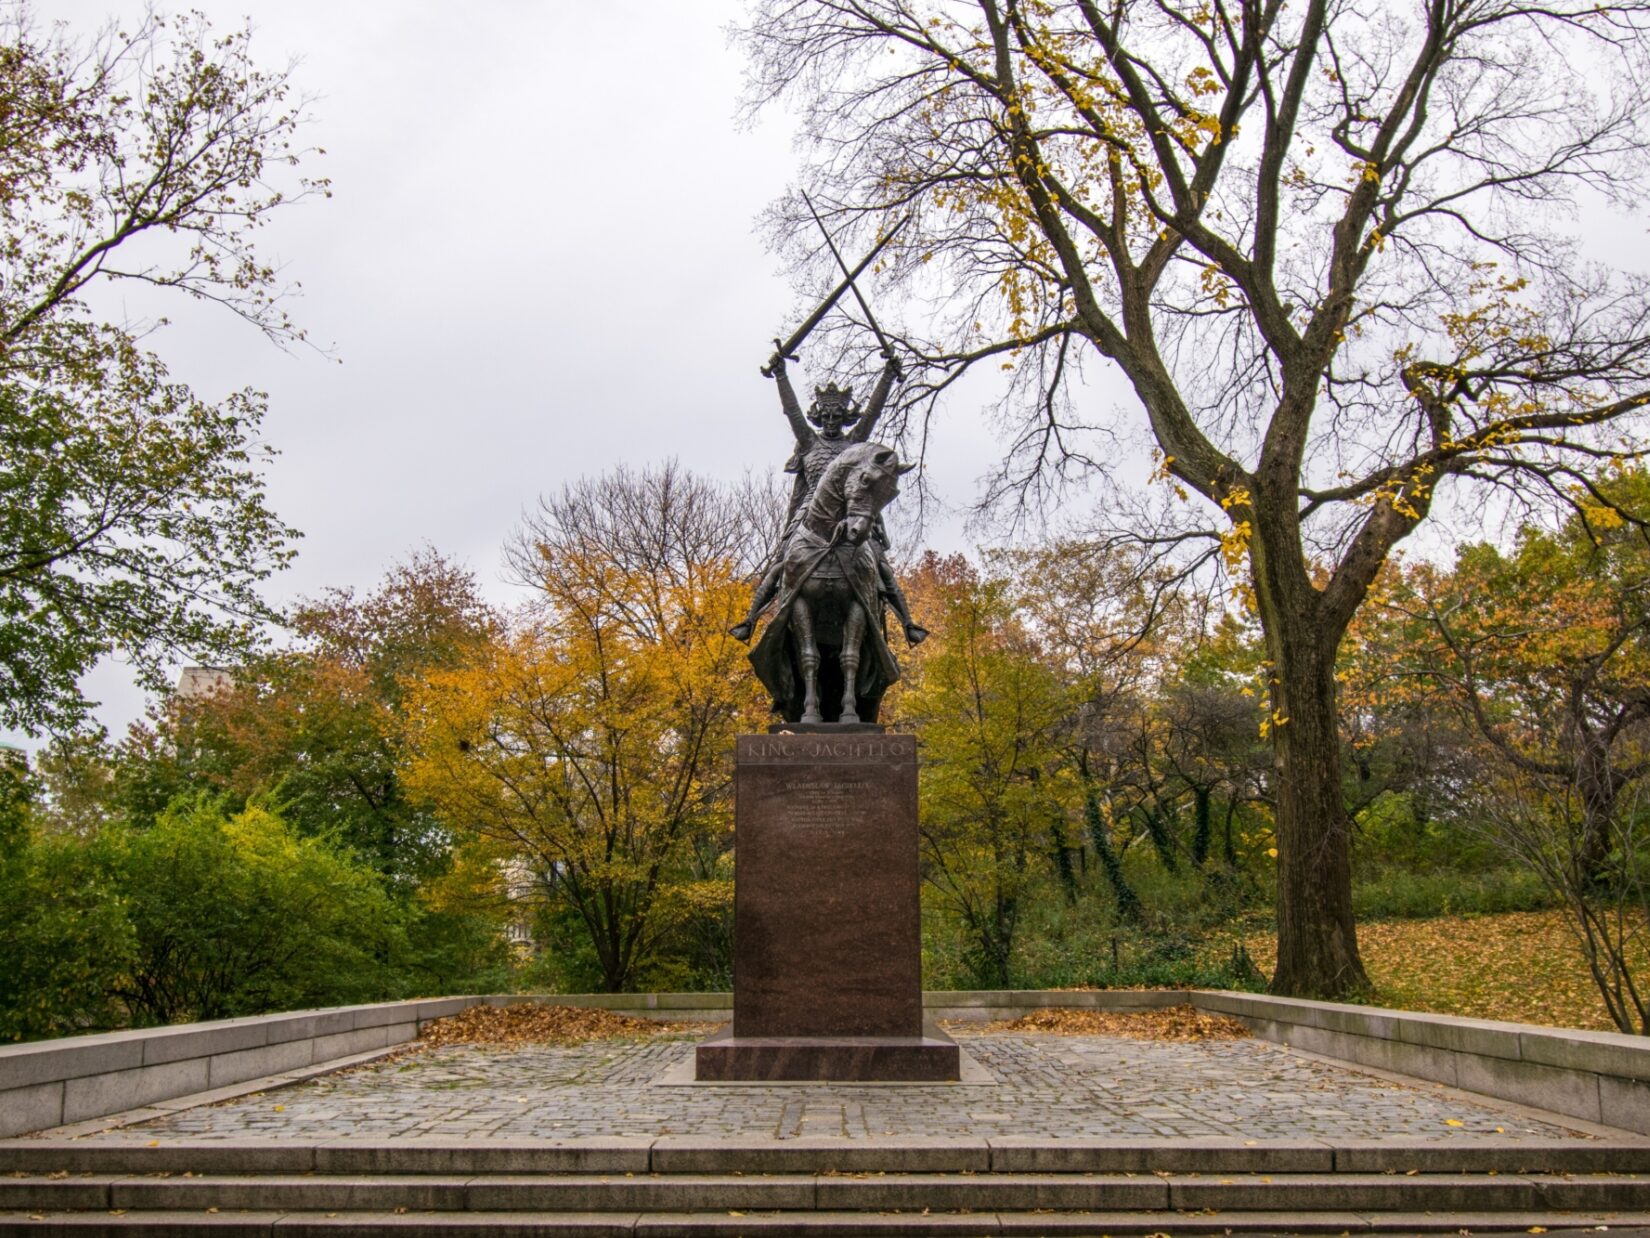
column 1598, row 1077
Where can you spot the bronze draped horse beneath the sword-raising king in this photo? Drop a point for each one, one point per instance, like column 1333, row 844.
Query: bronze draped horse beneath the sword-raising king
column 831, row 602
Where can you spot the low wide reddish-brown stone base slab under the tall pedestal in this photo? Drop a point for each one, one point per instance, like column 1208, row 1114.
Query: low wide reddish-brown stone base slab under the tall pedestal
column 928, row 1059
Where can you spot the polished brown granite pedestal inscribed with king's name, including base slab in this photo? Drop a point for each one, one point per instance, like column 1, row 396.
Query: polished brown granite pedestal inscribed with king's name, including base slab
column 827, row 925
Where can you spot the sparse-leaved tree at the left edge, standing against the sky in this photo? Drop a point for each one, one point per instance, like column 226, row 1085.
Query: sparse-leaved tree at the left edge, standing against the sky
column 133, row 511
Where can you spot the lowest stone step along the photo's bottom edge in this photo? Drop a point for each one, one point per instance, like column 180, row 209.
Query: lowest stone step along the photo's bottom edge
column 776, row 1224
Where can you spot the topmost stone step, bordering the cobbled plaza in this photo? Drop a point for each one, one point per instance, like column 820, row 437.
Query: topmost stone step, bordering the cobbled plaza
column 694, row 1155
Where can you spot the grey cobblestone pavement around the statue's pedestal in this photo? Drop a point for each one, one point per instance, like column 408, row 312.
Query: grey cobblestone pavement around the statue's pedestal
column 1054, row 1087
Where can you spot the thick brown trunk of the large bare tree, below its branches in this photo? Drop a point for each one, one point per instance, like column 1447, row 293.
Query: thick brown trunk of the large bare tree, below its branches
column 1318, row 943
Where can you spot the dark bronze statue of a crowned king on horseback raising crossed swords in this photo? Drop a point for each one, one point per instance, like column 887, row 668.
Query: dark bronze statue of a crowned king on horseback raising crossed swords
column 824, row 658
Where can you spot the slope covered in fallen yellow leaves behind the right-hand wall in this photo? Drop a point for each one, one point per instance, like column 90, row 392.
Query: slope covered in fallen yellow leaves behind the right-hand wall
column 1519, row 966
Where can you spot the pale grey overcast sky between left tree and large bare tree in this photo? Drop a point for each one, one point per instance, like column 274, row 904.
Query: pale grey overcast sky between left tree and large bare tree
column 539, row 262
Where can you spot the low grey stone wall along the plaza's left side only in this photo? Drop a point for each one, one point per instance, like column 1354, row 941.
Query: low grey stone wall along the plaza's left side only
column 55, row 1082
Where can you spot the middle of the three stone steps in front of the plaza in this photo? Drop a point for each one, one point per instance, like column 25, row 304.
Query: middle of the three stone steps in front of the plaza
column 803, row 1193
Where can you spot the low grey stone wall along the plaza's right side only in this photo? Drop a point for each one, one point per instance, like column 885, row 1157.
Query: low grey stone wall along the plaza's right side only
column 1601, row 1077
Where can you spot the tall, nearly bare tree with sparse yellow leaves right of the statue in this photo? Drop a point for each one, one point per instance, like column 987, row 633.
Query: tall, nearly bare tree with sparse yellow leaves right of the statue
column 1331, row 247
